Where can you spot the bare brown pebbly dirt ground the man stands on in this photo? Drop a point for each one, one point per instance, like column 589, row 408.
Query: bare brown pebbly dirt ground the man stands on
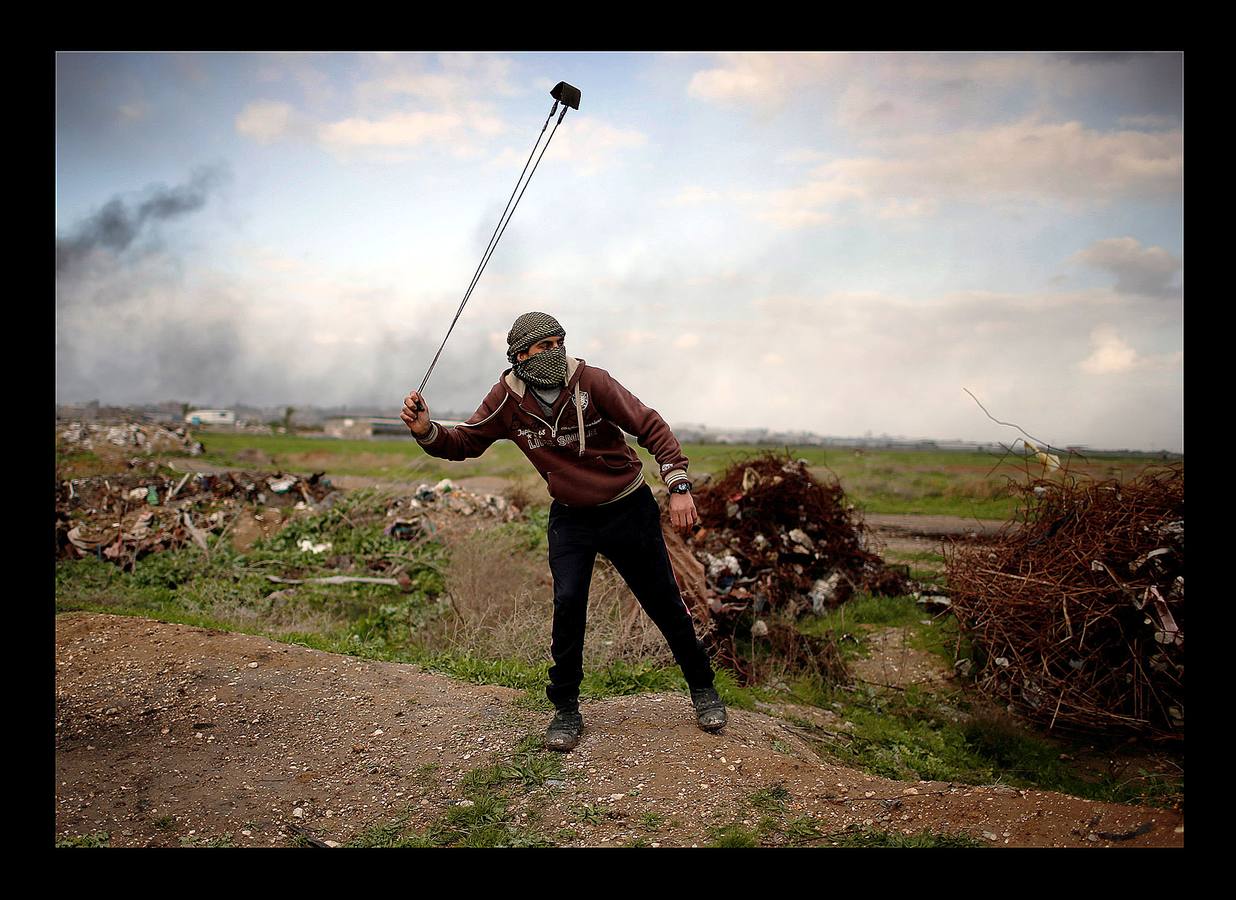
column 169, row 736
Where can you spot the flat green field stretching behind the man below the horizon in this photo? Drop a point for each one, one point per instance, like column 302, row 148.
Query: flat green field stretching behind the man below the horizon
column 878, row 482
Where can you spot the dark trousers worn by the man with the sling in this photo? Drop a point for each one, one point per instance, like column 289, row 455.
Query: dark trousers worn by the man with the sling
column 629, row 533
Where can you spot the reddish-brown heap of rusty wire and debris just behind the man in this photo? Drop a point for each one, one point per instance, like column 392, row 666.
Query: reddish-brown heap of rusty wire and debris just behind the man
column 777, row 543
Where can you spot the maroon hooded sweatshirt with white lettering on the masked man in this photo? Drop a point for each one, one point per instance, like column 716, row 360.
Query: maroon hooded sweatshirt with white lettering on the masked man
column 598, row 470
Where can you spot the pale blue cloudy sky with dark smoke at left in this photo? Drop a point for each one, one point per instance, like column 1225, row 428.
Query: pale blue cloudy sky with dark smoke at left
column 839, row 243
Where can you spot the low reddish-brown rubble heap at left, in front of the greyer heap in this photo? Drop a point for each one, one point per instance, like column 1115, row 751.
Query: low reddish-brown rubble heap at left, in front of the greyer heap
column 125, row 517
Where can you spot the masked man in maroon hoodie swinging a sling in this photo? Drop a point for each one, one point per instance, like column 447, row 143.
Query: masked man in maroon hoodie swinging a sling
column 570, row 420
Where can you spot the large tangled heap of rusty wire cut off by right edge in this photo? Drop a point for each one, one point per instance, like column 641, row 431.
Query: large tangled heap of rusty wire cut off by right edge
column 1076, row 613
